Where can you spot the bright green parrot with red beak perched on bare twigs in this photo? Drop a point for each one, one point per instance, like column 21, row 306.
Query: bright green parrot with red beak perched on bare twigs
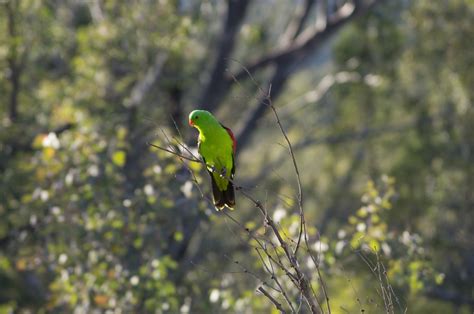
column 216, row 145
